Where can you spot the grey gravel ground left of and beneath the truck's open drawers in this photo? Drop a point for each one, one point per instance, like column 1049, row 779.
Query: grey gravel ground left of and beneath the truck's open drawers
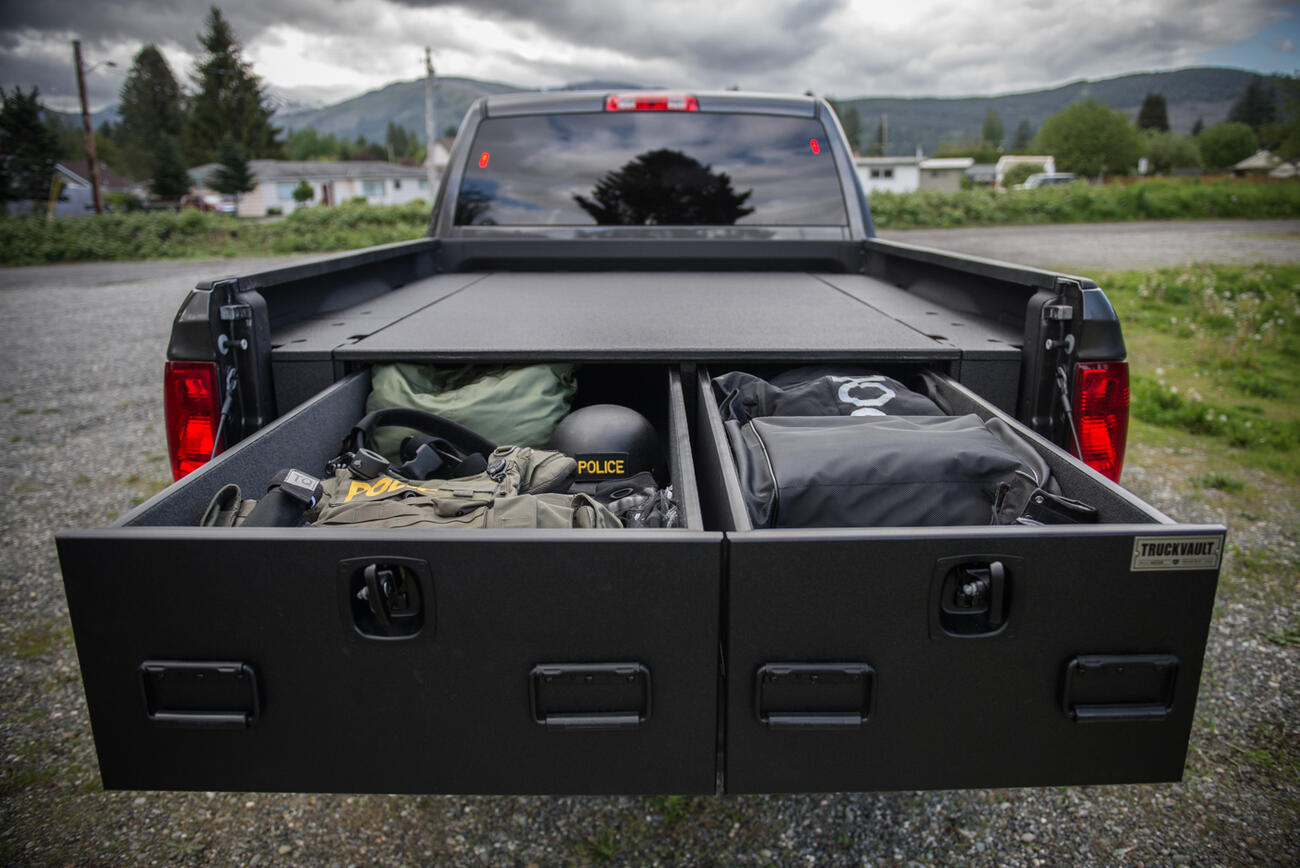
column 81, row 415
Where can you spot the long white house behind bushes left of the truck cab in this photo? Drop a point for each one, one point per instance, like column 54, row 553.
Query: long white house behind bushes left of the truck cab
column 379, row 184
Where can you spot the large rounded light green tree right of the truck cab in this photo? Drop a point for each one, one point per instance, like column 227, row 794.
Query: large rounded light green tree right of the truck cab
column 1091, row 140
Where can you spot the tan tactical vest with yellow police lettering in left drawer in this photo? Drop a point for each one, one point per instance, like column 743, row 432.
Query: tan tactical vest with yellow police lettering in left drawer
column 522, row 488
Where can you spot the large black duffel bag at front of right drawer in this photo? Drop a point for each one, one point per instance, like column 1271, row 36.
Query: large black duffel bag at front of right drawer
column 878, row 472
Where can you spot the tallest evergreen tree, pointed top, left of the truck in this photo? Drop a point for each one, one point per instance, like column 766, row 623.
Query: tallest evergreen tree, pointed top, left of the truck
column 228, row 101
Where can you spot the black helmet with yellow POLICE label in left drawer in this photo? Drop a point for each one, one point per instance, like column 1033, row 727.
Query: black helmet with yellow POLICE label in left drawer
column 609, row 441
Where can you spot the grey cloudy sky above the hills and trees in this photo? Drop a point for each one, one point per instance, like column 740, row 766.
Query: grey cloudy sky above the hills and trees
column 324, row 51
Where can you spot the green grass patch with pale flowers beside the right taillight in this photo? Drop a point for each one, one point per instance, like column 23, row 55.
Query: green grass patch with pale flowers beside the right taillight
column 1215, row 351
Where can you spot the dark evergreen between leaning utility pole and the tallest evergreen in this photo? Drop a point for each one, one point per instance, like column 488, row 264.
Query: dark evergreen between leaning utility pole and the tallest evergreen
column 153, row 108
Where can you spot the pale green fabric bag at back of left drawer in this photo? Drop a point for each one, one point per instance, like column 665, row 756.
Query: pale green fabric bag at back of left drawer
column 505, row 403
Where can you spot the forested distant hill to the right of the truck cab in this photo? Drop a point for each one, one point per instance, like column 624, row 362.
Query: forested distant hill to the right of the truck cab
column 1190, row 94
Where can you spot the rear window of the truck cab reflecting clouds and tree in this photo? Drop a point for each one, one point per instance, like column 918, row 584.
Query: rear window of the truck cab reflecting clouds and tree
column 651, row 170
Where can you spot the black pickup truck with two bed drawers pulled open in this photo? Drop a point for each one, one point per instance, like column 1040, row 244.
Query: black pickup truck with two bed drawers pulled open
column 657, row 241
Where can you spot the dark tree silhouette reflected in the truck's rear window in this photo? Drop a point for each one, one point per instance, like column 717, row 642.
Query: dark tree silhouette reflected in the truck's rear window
column 665, row 188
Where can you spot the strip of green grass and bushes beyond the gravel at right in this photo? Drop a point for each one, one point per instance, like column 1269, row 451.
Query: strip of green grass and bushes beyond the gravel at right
column 1084, row 203
